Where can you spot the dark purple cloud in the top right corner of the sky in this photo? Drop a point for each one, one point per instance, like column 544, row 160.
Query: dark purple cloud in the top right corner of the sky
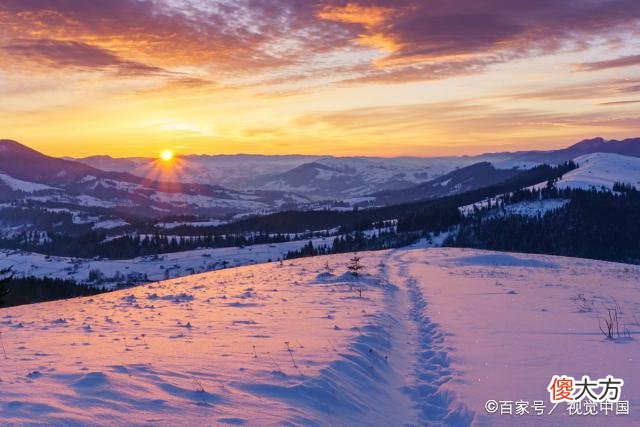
column 462, row 27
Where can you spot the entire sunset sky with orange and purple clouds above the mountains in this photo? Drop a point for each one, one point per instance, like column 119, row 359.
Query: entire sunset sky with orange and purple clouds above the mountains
column 380, row 77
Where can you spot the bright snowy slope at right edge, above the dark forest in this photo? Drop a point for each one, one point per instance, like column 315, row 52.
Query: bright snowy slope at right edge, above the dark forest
column 602, row 170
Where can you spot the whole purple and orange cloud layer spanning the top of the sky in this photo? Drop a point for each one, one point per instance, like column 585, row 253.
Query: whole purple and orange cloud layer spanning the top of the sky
column 386, row 41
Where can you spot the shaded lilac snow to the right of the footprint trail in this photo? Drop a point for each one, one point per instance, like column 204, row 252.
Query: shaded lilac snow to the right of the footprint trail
column 512, row 321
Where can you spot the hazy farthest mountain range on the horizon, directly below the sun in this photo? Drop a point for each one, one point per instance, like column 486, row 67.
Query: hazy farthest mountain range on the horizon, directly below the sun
column 317, row 177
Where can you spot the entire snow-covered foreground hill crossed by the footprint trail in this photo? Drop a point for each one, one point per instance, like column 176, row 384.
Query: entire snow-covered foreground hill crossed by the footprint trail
column 423, row 337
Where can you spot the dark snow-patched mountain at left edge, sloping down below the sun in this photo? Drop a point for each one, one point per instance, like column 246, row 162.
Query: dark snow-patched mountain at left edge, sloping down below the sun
column 29, row 176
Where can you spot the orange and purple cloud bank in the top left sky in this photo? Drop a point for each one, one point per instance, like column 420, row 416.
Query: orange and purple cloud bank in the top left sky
column 229, row 35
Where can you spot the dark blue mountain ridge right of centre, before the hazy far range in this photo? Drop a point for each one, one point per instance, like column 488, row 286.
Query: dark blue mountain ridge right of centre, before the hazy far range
column 469, row 178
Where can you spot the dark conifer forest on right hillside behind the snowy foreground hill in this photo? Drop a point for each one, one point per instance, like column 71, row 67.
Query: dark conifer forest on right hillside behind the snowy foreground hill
column 594, row 224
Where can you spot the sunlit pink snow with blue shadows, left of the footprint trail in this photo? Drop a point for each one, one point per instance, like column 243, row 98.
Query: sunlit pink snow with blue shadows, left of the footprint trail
column 226, row 348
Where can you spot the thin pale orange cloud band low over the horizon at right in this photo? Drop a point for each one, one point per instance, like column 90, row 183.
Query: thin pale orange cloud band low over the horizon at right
column 463, row 120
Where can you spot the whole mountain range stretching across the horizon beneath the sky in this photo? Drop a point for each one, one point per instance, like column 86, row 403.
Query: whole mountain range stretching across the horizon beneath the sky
column 144, row 187
